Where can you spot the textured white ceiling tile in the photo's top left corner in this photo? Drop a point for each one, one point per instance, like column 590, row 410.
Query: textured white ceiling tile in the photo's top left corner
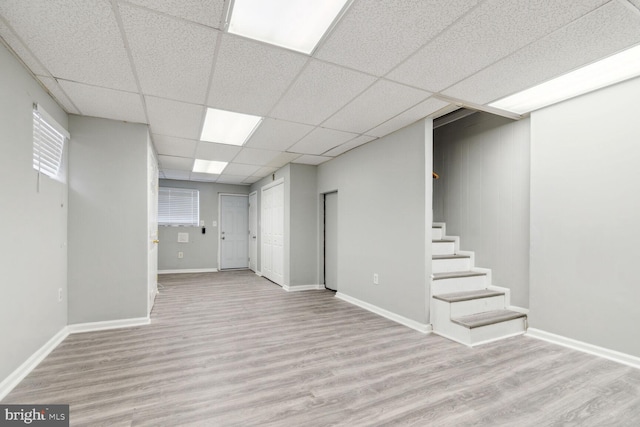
column 75, row 40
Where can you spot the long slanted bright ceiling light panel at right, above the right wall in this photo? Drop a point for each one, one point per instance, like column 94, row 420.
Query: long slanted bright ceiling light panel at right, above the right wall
column 614, row 69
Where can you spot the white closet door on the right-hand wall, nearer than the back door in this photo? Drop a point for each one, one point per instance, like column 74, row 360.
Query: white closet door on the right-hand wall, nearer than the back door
column 272, row 235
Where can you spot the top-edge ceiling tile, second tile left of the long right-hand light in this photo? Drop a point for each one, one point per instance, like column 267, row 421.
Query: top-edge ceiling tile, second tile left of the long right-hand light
column 490, row 32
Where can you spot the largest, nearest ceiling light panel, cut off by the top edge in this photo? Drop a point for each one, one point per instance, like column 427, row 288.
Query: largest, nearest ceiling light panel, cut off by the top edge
column 292, row 24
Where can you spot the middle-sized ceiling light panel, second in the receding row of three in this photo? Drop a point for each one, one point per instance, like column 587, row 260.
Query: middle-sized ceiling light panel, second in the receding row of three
column 227, row 127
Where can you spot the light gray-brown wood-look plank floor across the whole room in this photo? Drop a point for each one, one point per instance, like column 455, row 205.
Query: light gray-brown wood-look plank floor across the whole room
column 233, row 349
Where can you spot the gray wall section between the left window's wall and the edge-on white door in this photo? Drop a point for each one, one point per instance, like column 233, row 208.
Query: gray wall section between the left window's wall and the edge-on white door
column 108, row 233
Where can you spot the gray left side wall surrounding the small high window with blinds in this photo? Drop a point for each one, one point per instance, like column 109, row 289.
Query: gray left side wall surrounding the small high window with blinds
column 33, row 252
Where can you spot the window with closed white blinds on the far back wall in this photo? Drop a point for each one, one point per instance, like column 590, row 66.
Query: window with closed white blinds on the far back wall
column 178, row 206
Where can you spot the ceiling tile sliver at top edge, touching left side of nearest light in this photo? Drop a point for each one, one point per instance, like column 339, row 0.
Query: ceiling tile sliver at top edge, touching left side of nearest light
column 206, row 12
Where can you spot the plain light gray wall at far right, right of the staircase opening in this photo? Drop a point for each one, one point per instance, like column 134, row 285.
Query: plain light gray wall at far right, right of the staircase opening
column 585, row 207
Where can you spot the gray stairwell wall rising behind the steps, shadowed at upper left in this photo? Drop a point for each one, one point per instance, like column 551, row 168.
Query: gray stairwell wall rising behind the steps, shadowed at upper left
column 483, row 194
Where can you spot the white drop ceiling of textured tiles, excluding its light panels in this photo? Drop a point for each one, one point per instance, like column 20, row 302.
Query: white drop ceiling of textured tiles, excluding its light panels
column 384, row 65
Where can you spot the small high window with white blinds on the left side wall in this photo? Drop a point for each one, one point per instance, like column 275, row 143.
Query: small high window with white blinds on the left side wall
column 48, row 143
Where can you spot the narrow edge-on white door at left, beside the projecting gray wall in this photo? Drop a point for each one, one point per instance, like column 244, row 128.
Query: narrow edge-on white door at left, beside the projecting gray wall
column 152, row 223
